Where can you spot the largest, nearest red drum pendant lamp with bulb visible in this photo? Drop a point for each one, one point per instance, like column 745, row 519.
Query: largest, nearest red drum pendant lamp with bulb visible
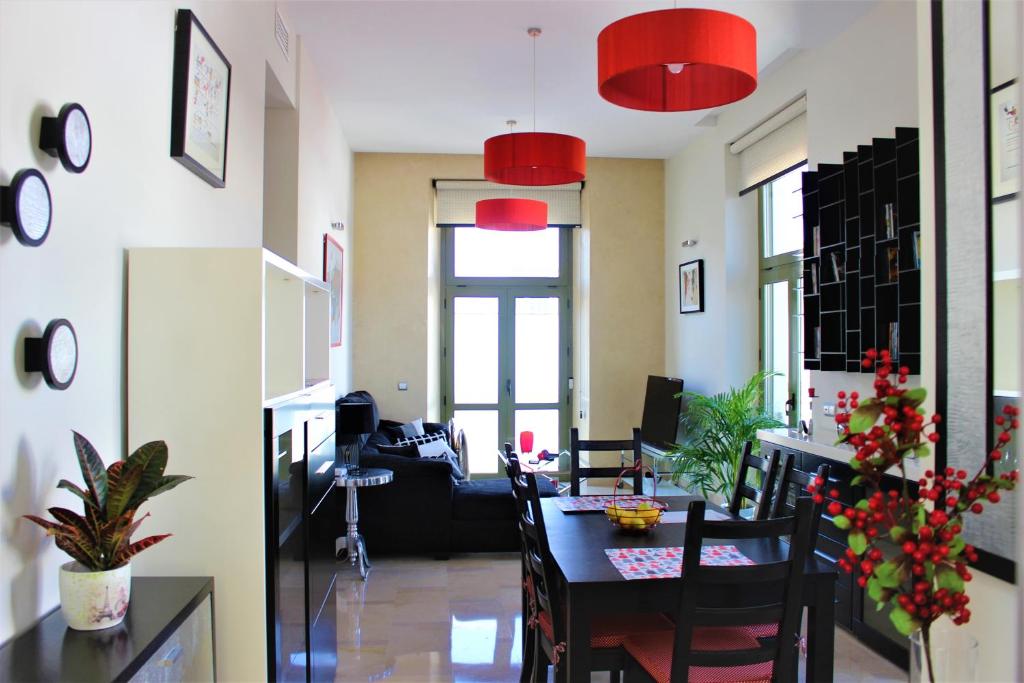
column 677, row 60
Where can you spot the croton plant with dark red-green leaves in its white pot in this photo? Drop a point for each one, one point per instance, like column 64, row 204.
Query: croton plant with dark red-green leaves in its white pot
column 97, row 586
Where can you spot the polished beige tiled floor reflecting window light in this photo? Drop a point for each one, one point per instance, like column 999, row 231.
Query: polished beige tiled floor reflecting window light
column 423, row 620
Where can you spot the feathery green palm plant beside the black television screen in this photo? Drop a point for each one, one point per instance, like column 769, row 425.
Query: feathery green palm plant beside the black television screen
column 716, row 429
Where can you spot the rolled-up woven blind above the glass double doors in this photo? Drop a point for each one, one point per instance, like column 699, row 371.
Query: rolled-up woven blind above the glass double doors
column 457, row 201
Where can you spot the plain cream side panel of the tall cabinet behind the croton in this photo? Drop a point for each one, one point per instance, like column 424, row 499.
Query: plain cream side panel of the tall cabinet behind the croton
column 195, row 380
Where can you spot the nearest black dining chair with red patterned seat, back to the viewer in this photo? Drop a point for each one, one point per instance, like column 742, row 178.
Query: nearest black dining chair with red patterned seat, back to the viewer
column 717, row 644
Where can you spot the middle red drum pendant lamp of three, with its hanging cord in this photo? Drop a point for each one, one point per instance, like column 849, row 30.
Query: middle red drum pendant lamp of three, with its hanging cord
column 535, row 159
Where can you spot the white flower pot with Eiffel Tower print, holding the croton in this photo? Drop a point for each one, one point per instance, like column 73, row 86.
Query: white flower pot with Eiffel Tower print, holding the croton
column 94, row 601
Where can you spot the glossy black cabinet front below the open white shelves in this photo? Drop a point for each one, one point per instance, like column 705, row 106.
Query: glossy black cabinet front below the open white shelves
column 301, row 537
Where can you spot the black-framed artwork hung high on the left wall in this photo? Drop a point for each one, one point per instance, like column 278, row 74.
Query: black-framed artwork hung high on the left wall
column 201, row 95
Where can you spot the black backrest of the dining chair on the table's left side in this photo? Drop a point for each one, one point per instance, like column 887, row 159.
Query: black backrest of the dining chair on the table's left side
column 538, row 561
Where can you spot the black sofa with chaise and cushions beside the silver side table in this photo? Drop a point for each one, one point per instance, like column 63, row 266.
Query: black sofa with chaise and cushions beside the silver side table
column 423, row 510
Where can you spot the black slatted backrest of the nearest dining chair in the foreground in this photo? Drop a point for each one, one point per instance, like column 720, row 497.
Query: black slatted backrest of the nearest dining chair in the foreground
column 766, row 593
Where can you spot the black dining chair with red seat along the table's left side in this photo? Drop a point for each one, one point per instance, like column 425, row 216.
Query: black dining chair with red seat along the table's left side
column 546, row 614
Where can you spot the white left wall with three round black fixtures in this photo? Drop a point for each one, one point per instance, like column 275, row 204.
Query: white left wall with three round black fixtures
column 116, row 59
